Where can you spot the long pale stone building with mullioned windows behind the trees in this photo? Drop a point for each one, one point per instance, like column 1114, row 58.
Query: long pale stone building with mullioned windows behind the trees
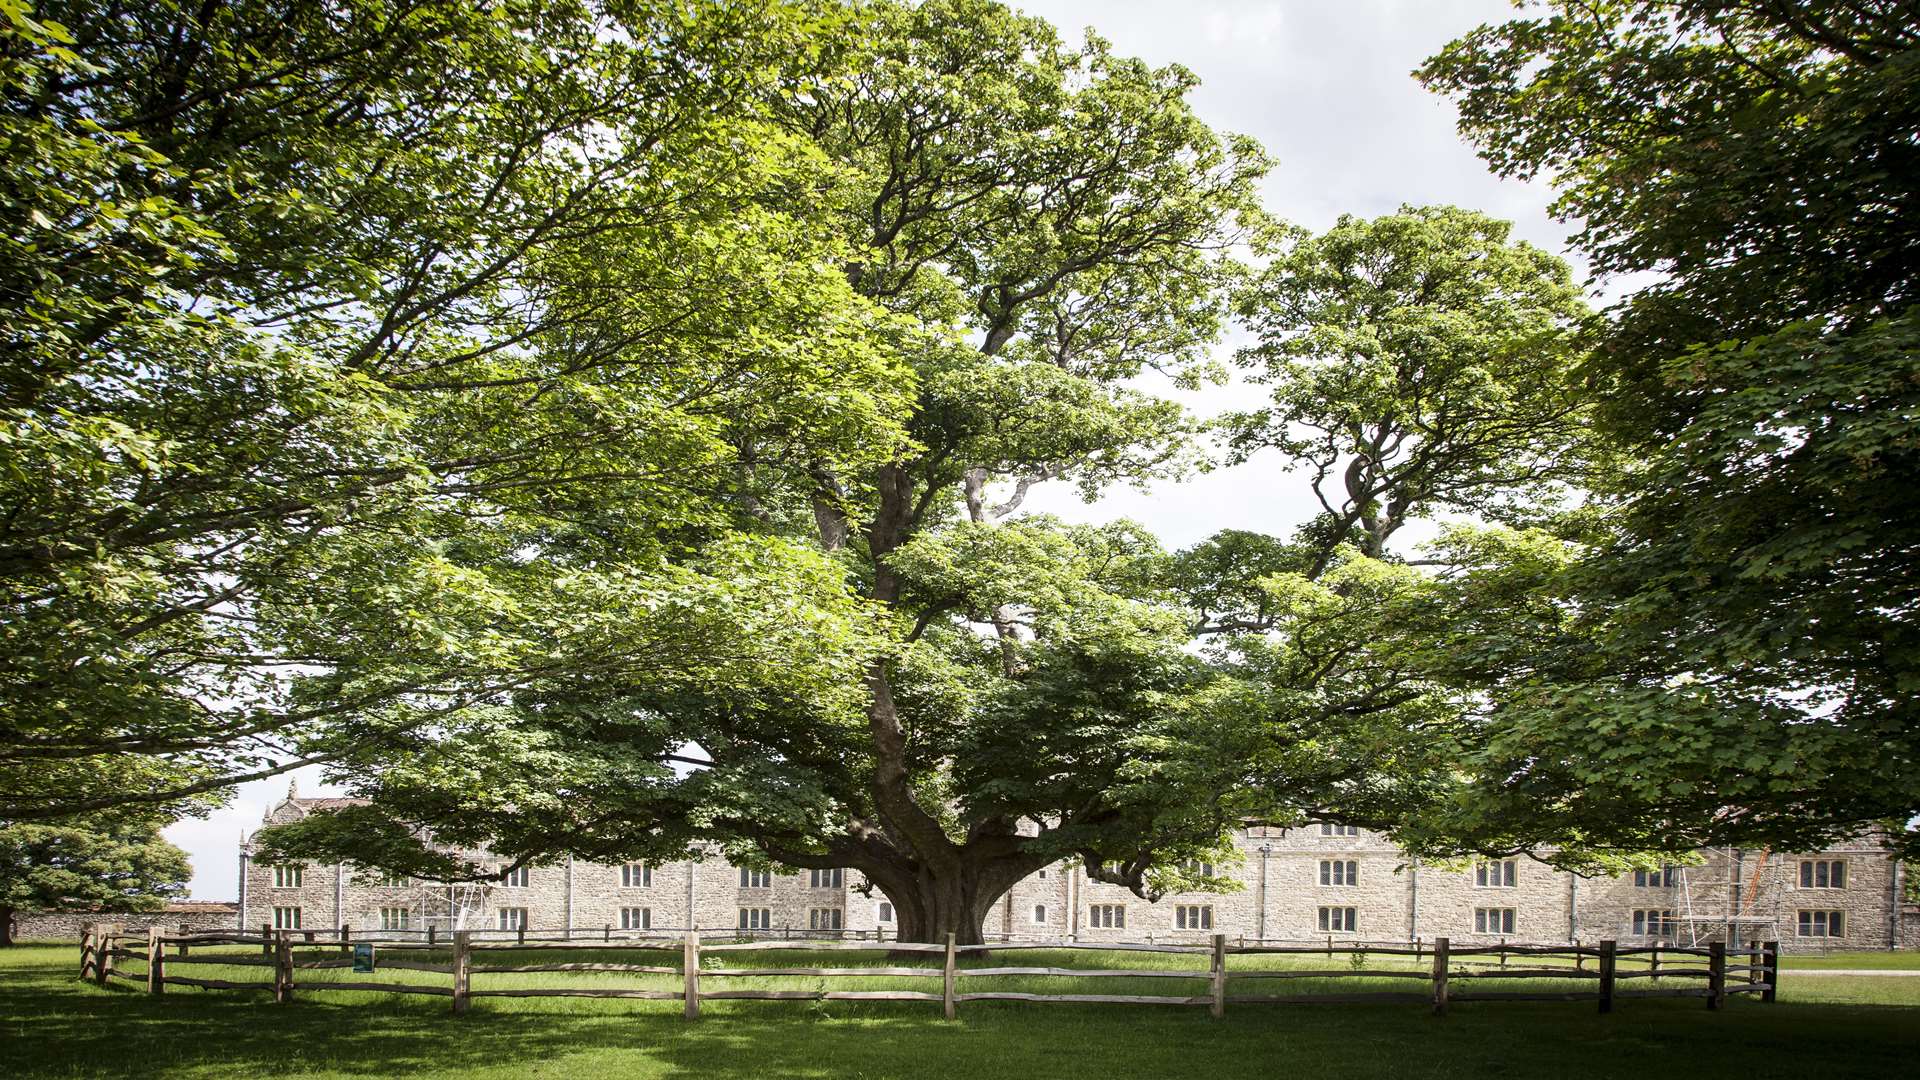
column 1301, row 885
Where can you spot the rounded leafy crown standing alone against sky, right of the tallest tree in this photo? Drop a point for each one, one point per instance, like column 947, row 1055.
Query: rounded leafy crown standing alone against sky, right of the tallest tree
column 1418, row 364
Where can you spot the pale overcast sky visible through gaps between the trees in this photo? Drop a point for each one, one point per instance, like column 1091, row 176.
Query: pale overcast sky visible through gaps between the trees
column 1326, row 87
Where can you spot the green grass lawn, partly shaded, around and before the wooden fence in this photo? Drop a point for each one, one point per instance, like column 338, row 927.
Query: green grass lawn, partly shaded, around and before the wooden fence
column 55, row 1025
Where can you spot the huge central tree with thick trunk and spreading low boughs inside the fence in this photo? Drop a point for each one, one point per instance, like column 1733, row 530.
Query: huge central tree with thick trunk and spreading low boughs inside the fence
column 1045, row 222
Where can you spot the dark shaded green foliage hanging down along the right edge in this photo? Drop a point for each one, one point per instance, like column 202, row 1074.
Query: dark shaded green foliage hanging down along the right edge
column 1737, row 656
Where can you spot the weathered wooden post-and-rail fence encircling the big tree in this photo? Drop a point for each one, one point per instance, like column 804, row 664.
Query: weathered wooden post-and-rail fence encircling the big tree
column 1451, row 977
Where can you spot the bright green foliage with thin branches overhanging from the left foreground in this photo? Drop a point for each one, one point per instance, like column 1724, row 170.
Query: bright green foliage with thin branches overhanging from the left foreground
column 358, row 356
